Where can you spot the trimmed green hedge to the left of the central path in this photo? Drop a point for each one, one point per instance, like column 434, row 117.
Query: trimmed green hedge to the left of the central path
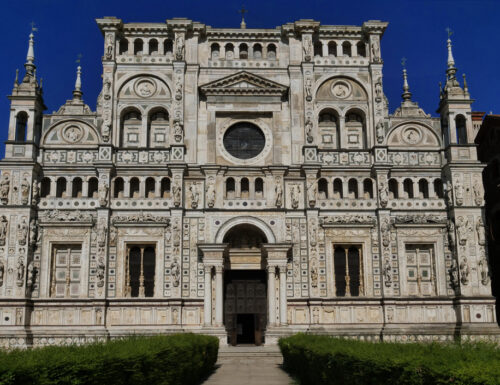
column 176, row 359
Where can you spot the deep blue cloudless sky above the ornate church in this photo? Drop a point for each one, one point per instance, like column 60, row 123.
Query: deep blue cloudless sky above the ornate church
column 417, row 31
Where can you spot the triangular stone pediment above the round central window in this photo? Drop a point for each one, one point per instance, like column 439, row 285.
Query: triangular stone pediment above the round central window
column 243, row 83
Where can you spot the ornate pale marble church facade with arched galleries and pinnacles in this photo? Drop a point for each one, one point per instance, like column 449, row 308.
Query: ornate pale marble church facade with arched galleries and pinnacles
column 244, row 183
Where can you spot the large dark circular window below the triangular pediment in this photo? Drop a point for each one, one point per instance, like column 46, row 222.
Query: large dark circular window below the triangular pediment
column 244, row 140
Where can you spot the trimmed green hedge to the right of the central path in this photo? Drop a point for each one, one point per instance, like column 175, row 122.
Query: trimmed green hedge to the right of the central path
column 321, row 360
